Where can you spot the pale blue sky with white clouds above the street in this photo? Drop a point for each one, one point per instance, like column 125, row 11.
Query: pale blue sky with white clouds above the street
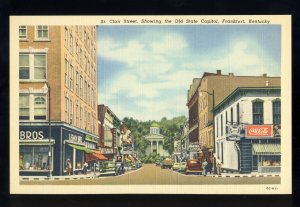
column 144, row 72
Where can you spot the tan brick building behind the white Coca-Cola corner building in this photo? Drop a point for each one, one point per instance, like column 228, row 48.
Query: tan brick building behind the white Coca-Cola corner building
column 207, row 92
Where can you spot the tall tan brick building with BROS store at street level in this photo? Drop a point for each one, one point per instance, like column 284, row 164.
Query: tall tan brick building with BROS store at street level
column 58, row 97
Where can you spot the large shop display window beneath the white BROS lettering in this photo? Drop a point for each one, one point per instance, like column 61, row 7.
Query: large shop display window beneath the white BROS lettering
column 34, row 158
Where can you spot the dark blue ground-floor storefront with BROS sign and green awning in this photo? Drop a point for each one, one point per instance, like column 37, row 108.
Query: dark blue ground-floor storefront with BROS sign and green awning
column 66, row 143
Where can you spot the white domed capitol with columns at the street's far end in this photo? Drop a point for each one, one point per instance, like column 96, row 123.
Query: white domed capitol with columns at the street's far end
column 155, row 141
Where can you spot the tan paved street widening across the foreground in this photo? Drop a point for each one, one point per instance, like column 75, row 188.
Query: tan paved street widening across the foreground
column 150, row 174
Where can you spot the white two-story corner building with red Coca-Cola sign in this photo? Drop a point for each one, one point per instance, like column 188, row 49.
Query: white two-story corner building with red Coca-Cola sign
column 248, row 125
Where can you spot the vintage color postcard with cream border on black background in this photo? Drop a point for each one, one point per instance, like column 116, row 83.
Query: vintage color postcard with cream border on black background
column 150, row 104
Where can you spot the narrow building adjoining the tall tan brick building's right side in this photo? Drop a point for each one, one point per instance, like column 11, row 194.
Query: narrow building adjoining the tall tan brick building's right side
column 109, row 140
